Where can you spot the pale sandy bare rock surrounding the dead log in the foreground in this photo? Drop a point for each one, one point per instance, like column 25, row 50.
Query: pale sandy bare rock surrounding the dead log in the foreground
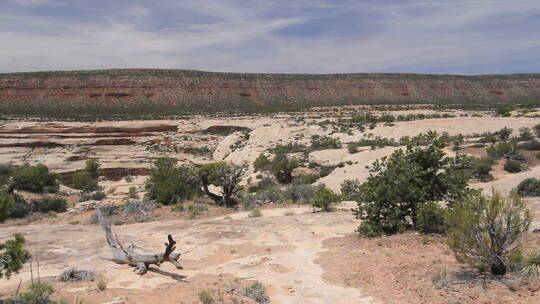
column 268, row 249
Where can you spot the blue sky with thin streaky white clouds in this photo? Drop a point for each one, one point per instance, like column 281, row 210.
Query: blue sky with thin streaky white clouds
column 273, row 36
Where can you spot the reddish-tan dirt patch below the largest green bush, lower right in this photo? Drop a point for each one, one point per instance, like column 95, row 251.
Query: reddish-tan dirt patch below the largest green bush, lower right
column 400, row 268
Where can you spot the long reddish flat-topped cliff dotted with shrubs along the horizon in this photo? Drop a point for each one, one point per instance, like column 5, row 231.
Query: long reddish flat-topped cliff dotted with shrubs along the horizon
column 194, row 91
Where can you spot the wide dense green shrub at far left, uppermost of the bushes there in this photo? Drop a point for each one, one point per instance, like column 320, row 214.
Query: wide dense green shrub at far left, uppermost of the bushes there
column 35, row 179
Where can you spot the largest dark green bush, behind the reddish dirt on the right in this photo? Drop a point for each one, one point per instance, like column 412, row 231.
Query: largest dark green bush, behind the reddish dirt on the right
column 389, row 199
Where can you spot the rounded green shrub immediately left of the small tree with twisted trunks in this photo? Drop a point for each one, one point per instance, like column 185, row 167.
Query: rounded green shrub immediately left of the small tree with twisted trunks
column 169, row 184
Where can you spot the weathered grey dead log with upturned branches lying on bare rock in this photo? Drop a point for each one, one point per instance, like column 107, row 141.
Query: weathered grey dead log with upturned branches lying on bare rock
column 121, row 255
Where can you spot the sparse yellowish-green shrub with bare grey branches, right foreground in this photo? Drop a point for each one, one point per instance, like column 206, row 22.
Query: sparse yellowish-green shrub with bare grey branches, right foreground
column 484, row 231
